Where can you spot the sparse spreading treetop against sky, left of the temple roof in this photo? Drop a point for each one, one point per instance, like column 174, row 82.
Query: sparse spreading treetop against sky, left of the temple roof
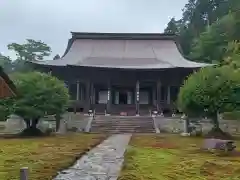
column 30, row 51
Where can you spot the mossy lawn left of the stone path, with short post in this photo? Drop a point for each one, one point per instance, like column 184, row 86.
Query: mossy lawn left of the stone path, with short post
column 44, row 156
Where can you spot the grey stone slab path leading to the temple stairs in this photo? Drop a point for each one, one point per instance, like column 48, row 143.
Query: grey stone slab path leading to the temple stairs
column 104, row 162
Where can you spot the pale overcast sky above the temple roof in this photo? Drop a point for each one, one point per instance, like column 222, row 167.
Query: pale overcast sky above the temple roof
column 52, row 20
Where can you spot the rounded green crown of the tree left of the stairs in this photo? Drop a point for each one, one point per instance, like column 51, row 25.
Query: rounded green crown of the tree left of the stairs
column 39, row 94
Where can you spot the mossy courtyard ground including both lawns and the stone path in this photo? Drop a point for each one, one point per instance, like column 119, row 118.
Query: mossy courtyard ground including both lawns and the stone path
column 77, row 156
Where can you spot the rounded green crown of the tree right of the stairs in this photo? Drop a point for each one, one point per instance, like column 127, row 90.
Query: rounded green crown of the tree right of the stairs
column 212, row 88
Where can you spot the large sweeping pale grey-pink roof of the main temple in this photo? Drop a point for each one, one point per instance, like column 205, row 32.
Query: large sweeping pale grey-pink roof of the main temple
column 124, row 51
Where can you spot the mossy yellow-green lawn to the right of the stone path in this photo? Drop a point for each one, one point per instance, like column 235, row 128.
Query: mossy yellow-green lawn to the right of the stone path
column 170, row 157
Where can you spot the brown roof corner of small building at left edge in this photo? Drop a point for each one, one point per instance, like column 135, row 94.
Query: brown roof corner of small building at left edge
column 7, row 88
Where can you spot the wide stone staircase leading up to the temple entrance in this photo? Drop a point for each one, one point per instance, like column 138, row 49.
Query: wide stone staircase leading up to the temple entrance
column 122, row 124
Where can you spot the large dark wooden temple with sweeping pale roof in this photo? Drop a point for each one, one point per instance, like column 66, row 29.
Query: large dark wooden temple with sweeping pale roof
column 122, row 72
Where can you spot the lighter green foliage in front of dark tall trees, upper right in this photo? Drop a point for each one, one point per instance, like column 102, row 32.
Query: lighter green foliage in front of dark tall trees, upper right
column 211, row 44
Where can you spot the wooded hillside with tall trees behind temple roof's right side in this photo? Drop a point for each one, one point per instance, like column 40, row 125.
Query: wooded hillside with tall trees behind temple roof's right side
column 208, row 29
